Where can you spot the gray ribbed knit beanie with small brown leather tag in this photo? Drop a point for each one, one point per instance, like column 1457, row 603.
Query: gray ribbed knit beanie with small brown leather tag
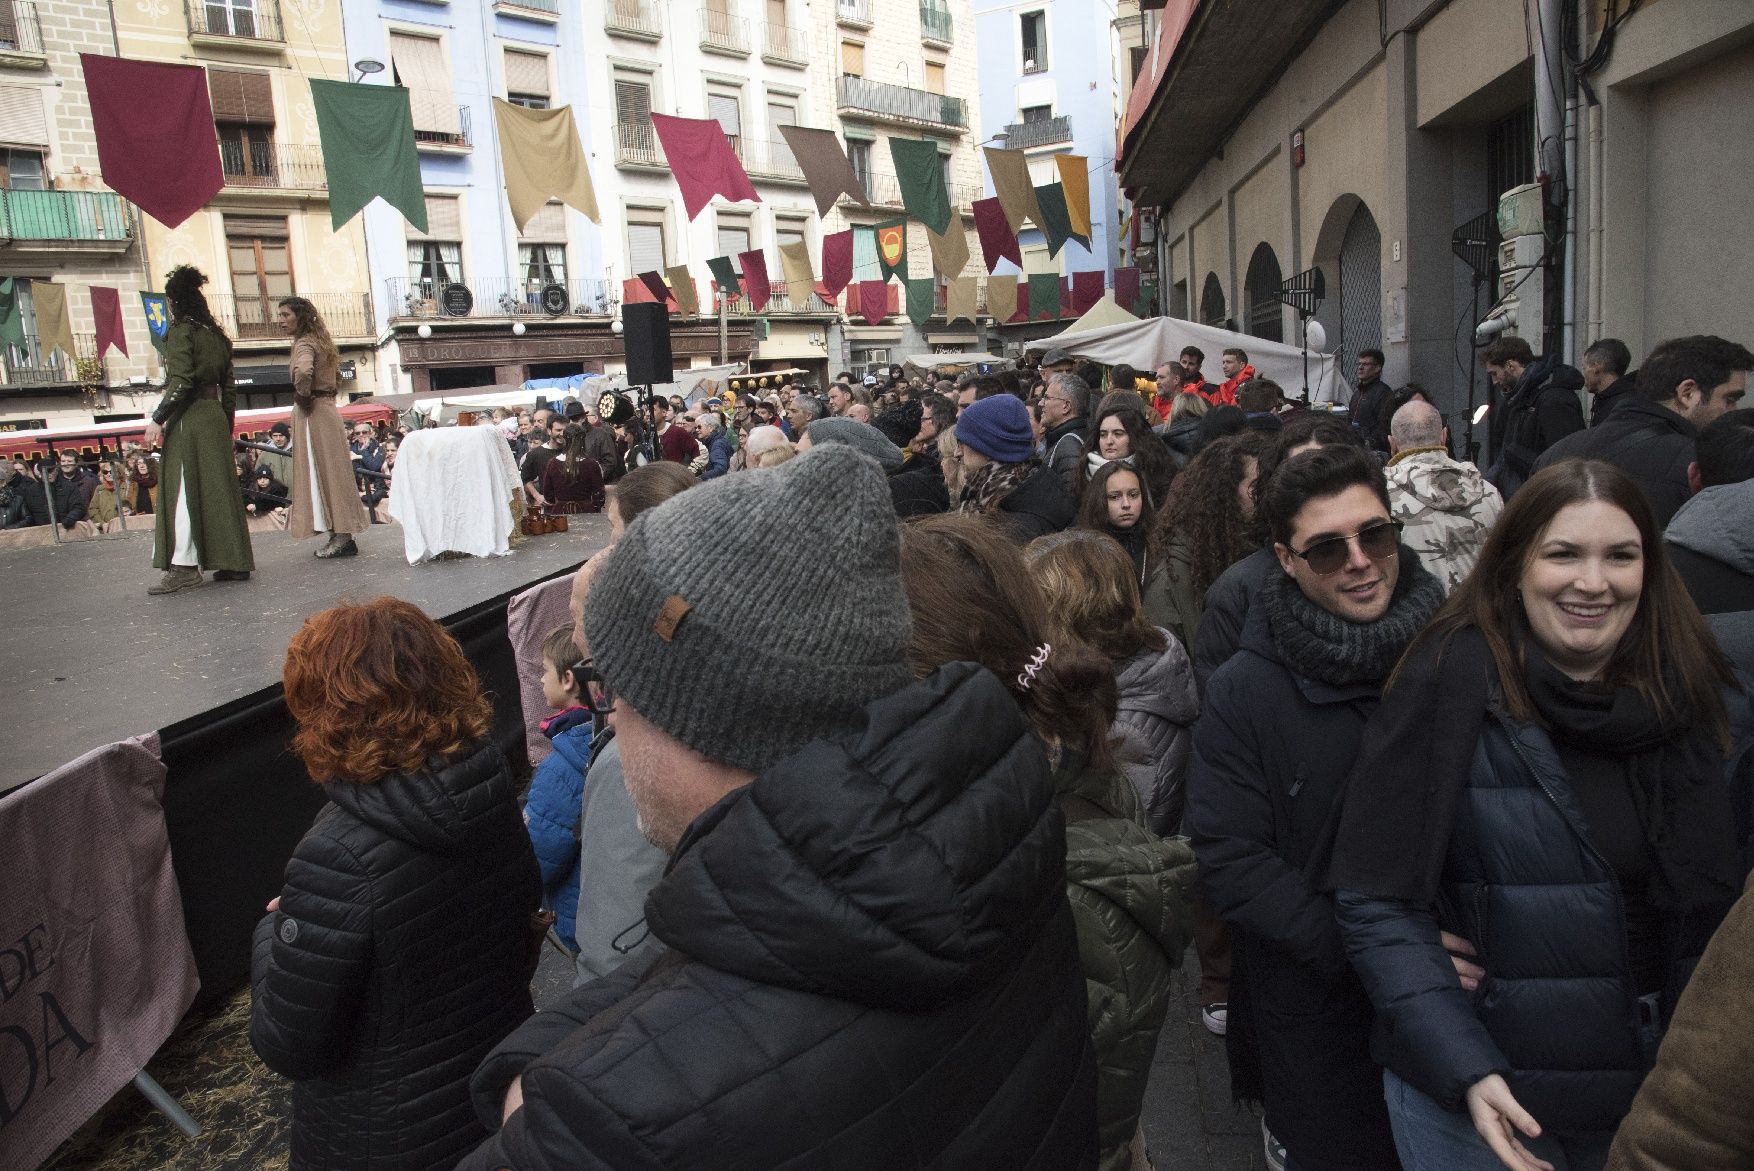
column 760, row 611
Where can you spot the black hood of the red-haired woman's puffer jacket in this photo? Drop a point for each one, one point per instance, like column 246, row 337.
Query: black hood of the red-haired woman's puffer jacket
column 446, row 809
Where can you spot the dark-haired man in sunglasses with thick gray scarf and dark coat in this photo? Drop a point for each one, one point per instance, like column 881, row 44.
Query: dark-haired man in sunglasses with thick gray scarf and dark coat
column 1283, row 725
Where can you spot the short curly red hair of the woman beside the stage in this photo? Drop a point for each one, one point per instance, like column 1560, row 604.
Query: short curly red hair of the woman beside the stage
column 378, row 690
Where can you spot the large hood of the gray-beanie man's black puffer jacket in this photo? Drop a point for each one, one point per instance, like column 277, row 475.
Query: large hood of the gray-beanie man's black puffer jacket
column 908, row 863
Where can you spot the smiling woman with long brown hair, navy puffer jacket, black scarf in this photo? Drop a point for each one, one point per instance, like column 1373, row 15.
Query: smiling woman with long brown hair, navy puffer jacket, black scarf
column 1558, row 777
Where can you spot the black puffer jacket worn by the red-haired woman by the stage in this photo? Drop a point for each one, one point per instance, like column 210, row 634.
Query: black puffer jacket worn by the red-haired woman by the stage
column 396, row 963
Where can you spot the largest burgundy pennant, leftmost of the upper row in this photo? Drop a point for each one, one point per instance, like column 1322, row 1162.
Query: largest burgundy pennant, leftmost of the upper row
column 155, row 131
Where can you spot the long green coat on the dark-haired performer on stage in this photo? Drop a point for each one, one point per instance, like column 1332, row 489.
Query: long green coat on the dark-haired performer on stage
column 199, row 453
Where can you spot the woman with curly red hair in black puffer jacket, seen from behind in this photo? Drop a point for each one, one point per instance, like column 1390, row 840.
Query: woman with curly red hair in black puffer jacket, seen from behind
column 397, row 955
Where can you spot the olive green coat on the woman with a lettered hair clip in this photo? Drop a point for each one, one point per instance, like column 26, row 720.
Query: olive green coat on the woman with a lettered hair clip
column 1129, row 891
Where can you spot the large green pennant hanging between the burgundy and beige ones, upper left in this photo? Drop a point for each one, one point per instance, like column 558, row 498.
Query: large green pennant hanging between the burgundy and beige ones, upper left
column 367, row 136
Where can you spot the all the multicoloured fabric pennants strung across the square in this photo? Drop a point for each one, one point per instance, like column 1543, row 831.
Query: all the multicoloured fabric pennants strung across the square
column 164, row 157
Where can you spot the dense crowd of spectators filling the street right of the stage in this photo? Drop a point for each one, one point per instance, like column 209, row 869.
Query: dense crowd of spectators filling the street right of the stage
column 906, row 737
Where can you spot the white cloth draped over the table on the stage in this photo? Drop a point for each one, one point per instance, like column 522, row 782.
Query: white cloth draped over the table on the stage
column 453, row 492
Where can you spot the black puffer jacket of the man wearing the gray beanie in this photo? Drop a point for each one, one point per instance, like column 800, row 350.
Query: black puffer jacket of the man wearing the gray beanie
column 873, row 967
